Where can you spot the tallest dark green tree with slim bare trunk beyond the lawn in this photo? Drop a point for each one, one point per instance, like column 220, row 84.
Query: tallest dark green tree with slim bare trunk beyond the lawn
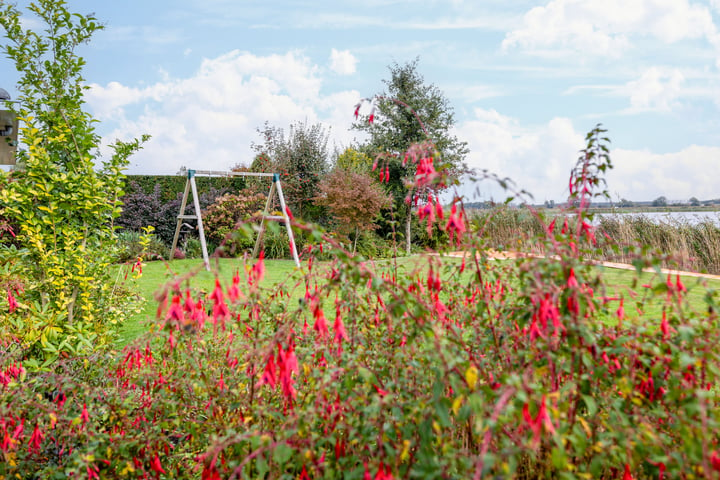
column 411, row 112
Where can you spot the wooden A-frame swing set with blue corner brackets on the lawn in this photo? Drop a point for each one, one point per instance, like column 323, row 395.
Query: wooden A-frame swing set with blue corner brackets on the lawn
column 191, row 188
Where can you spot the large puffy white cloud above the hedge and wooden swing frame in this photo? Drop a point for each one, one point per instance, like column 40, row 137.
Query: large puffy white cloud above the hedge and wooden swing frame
column 209, row 120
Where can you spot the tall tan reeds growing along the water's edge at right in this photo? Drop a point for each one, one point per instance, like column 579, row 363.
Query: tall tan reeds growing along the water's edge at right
column 680, row 243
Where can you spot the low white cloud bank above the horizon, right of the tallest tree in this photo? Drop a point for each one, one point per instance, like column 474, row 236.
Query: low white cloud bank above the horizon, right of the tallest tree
column 539, row 160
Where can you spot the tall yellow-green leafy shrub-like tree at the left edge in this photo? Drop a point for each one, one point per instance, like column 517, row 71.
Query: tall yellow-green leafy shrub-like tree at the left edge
column 63, row 199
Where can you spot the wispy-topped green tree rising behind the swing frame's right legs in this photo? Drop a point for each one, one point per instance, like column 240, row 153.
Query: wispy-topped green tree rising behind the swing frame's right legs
column 301, row 159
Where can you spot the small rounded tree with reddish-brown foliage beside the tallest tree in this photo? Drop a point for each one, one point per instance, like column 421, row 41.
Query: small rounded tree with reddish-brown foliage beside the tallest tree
column 354, row 199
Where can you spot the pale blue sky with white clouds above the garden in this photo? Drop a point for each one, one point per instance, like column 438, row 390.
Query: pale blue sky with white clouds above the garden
column 526, row 81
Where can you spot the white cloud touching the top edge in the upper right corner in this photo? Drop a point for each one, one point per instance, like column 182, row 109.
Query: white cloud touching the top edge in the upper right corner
column 604, row 28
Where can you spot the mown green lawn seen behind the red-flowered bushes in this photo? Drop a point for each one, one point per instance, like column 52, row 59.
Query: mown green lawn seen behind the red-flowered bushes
column 157, row 274
